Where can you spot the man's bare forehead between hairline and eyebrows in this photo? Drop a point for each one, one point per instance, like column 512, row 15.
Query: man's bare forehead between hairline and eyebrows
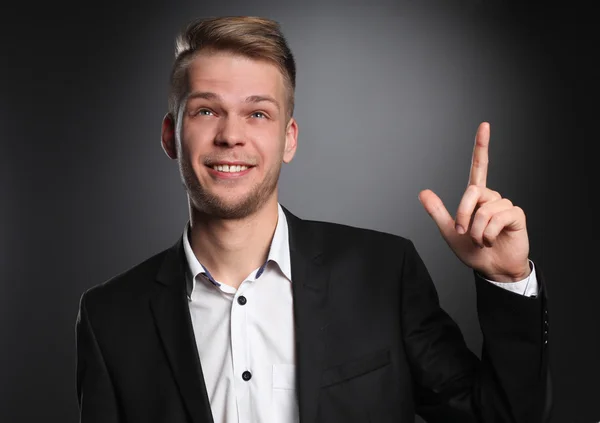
column 233, row 75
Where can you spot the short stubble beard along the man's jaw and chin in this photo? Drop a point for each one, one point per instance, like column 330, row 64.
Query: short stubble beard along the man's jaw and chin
column 215, row 206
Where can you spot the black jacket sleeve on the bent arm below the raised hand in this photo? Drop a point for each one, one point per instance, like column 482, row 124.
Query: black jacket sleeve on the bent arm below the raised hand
column 510, row 384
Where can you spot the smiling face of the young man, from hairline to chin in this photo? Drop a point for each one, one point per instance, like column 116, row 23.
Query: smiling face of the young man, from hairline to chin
column 234, row 134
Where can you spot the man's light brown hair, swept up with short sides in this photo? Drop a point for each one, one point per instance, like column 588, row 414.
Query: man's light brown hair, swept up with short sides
column 252, row 37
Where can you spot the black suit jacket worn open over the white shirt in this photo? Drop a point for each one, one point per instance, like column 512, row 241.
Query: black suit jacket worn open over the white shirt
column 372, row 343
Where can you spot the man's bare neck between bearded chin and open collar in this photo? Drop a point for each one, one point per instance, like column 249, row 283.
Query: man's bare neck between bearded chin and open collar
column 232, row 248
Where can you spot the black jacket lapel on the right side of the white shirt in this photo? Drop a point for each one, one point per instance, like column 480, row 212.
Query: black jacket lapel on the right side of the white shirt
column 309, row 287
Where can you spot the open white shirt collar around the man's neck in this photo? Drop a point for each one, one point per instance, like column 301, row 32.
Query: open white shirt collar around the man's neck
column 279, row 252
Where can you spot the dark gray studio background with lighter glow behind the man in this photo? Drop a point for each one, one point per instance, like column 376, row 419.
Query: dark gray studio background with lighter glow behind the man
column 389, row 95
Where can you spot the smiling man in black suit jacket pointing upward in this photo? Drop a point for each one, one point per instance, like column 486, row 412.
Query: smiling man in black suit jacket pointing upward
column 255, row 315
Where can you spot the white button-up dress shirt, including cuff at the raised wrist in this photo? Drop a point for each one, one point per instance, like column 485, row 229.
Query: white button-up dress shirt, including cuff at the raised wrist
column 245, row 337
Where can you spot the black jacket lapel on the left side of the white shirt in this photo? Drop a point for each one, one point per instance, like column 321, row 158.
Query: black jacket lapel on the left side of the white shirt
column 172, row 318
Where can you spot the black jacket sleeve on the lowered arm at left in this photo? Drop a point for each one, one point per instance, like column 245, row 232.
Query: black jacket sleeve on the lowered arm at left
column 95, row 393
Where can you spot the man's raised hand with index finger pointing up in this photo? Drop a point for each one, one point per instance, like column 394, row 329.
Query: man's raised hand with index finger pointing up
column 489, row 233
